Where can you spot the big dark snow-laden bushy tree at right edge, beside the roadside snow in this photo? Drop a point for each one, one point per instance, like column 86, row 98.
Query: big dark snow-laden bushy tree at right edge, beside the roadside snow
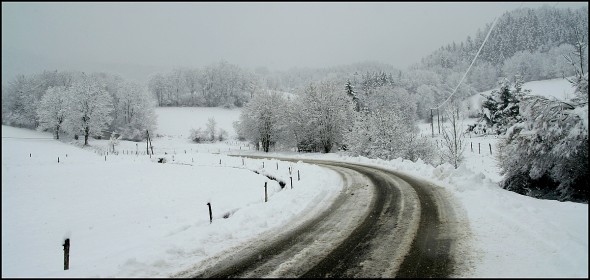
column 547, row 154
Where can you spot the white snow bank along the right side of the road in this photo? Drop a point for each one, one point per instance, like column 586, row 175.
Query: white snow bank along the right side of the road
column 512, row 235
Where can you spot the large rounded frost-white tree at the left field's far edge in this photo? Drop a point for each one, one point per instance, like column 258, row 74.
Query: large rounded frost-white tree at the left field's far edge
column 89, row 108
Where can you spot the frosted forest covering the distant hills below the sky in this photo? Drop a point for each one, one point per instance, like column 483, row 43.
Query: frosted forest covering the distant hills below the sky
column 531, row 43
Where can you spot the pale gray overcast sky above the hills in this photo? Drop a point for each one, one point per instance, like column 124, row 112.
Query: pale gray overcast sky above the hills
column 276, row 35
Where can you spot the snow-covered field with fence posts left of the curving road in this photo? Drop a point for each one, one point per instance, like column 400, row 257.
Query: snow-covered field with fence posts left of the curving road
column 129, row 216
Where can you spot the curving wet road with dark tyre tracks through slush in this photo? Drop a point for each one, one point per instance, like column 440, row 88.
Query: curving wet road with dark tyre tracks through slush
column 382, row 224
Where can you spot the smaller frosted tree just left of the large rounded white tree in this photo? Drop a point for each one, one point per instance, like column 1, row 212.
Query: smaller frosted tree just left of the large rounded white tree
column 52, row 110
